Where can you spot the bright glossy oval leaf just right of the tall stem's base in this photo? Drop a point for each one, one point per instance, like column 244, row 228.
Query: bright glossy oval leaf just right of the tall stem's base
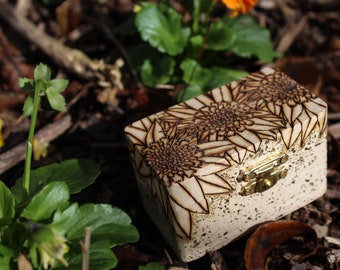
column 53, row 196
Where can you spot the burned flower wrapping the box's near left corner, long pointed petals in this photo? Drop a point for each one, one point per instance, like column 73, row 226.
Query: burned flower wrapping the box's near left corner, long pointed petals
column 170, row 165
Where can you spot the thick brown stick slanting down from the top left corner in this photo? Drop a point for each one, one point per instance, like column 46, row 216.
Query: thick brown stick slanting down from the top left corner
column 71, row 59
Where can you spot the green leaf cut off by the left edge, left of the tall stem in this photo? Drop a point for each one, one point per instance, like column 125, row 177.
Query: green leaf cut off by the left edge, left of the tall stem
column 7, row 205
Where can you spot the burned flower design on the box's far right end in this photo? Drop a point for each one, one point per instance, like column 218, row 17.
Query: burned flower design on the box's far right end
column 284, row 97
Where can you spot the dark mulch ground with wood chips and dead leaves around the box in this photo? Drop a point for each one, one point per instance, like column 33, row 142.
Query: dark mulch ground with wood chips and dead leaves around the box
column 306, row 32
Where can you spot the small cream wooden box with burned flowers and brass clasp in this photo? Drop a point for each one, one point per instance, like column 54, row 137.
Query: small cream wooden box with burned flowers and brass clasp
column 211, row 168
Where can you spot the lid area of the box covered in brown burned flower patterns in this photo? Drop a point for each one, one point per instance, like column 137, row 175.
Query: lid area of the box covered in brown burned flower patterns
column 185, row 146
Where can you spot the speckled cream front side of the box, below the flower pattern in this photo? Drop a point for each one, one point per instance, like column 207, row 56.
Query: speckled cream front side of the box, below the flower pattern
column 232, row 216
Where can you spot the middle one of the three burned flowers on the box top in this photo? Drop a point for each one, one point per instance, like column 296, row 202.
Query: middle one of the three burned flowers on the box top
column 219, row 120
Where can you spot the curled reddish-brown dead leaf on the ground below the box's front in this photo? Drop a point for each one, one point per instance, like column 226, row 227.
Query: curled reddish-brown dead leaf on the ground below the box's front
column 270, row 235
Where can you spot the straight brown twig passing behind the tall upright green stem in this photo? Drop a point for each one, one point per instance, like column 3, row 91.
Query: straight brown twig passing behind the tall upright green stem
column 47, row 134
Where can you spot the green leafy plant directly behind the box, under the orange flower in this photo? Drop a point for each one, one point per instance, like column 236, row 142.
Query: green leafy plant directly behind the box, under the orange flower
column 199, row 52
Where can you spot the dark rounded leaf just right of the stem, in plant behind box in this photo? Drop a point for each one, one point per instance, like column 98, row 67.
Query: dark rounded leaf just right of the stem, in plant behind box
column 220, row 37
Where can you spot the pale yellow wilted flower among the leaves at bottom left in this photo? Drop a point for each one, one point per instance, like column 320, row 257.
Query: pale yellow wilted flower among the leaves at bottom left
column 52, row 251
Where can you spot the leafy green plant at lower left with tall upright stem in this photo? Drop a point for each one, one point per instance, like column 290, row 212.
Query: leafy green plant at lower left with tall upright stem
column 37, row 220
